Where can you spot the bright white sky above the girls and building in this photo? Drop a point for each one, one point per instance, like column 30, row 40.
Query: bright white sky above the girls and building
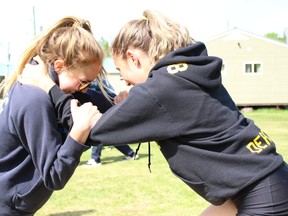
column 204, row 19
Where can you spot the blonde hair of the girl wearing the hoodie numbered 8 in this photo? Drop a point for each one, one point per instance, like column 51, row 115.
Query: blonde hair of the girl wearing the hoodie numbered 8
column 154, row 34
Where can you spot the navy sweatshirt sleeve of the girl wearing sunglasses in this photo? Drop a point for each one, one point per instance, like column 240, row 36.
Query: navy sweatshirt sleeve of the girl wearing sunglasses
column 36, row 125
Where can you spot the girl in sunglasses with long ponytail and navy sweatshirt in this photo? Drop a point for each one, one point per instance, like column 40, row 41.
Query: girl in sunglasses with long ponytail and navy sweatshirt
column 34, row 160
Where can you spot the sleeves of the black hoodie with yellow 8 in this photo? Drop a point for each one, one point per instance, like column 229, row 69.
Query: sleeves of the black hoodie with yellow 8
column 139, row 118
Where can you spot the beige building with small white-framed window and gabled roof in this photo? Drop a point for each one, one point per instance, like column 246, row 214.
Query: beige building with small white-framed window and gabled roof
column 255, row 68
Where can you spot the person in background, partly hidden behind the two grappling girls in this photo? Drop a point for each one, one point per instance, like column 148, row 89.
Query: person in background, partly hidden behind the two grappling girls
column 103, row 101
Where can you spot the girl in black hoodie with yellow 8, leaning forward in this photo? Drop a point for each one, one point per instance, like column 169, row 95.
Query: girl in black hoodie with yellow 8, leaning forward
column 179, row 101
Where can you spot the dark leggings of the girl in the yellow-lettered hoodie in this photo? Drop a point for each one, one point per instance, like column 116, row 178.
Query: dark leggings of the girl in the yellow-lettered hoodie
column 268, row 197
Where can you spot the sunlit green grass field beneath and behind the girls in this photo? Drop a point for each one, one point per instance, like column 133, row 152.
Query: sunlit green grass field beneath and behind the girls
column 125, row 188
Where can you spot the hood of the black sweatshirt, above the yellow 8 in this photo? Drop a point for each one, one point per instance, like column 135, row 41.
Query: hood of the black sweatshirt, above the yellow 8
column 204, row 70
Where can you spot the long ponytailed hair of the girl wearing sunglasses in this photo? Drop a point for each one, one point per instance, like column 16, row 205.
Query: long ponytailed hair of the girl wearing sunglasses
column 70, row 39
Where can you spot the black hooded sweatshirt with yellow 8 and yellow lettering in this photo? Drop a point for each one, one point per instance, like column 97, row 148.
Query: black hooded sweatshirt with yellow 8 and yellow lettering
column 184, row 107
